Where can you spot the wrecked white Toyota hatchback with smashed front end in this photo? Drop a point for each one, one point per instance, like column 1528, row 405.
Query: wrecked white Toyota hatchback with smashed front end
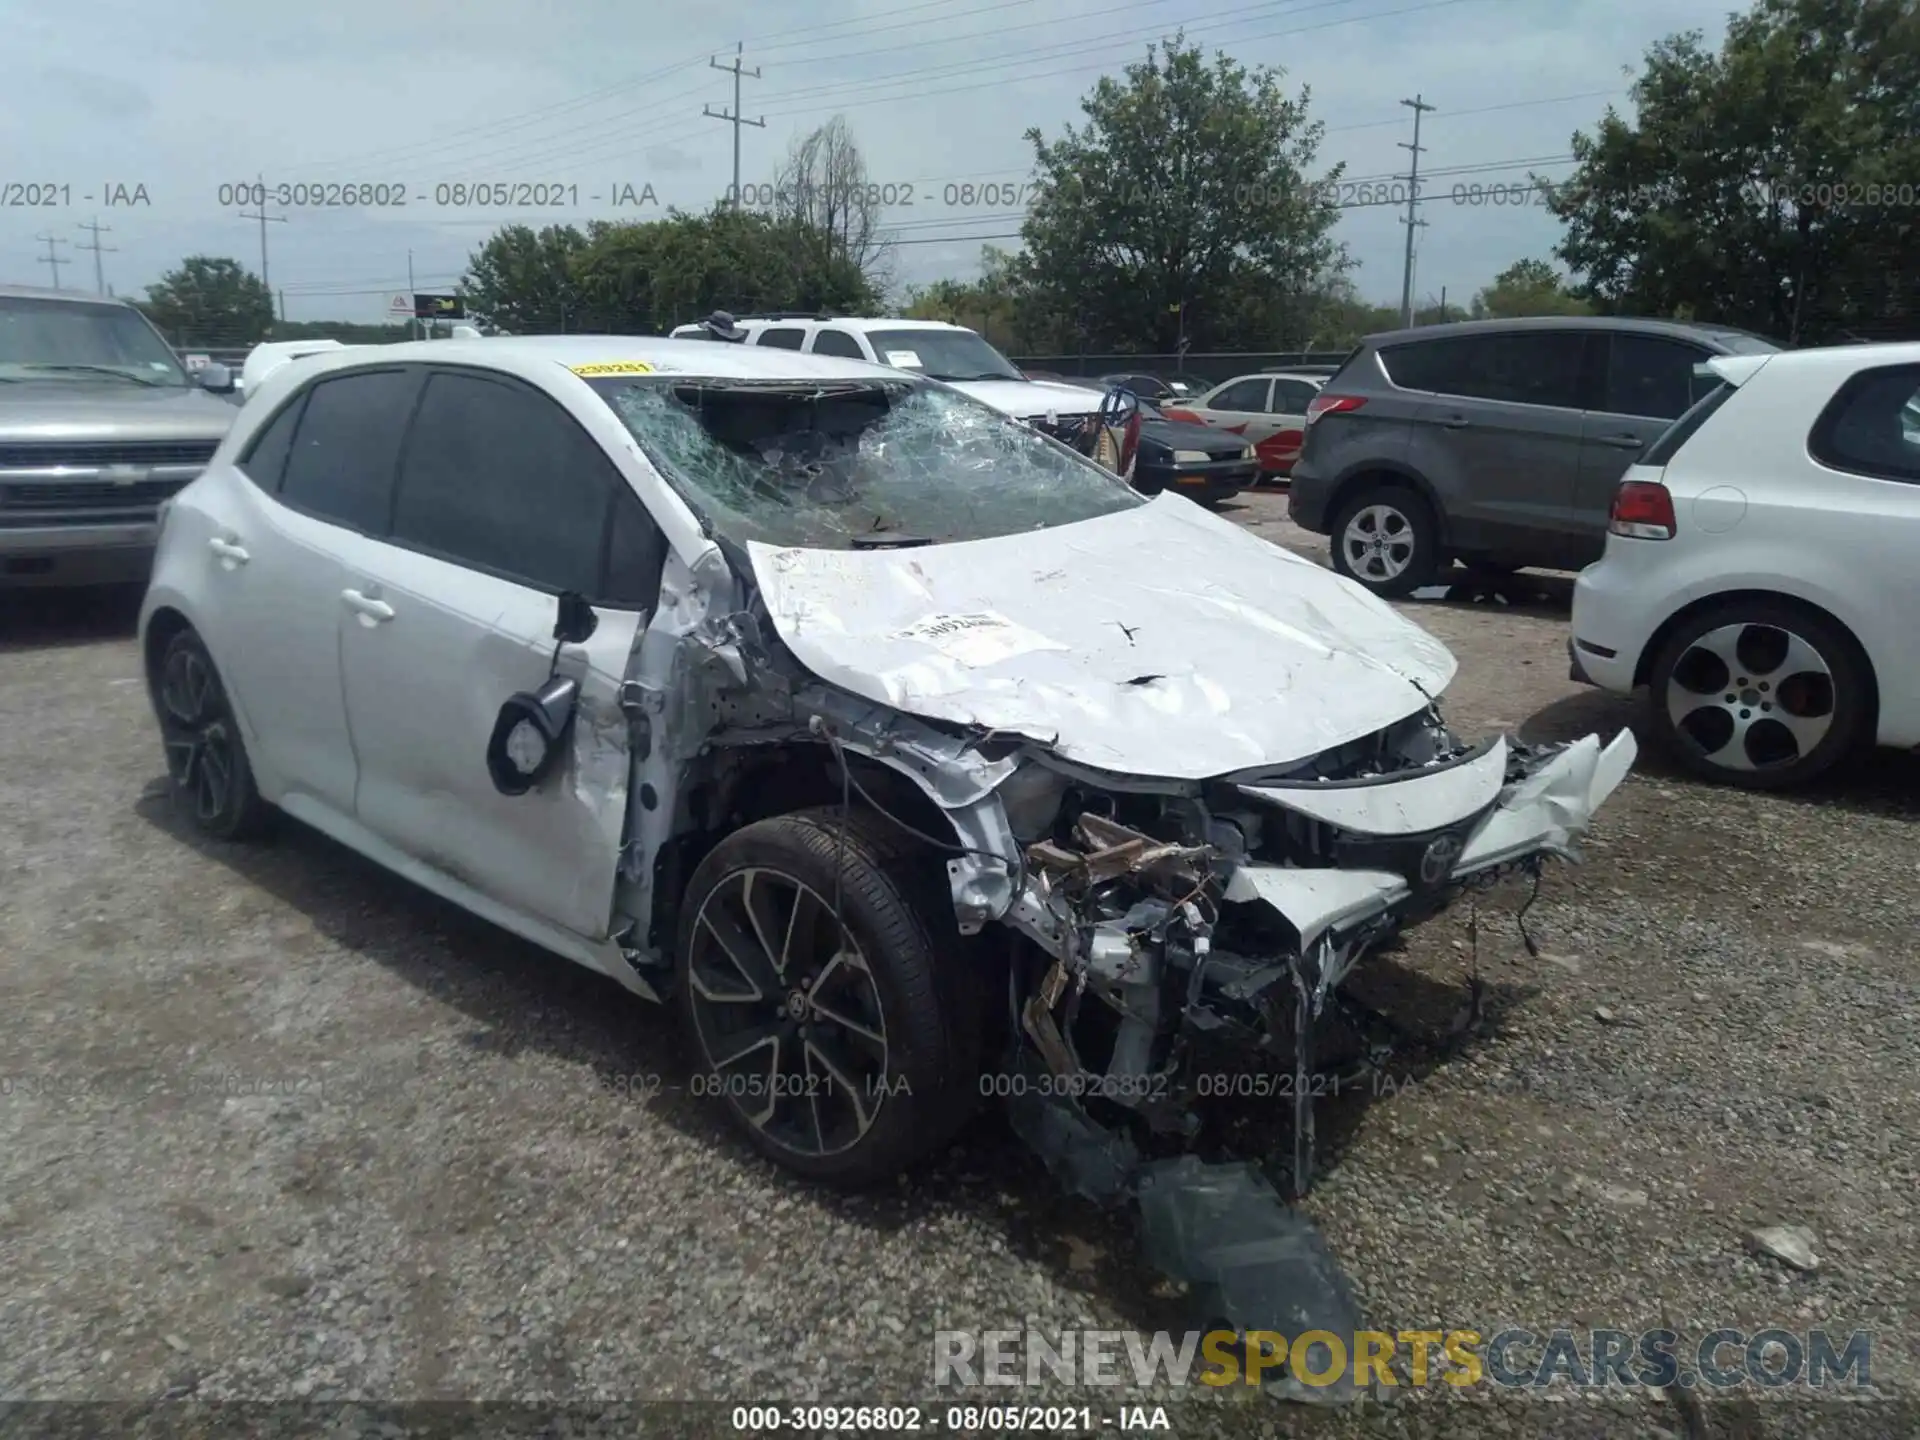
column 913, row 756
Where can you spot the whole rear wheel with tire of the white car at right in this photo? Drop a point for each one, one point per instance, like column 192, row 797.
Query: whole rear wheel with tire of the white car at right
column 1760, row 694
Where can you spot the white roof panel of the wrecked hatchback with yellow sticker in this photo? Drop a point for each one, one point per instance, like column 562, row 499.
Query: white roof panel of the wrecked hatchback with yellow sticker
column 537, row 356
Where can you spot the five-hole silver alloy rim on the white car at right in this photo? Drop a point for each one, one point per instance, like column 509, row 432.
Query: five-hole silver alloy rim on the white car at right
column 1752, row 698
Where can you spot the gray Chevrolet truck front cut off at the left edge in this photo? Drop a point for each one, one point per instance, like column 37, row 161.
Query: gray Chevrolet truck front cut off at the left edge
column 99, row 425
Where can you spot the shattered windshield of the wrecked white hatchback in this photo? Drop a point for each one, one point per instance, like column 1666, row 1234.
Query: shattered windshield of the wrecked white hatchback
column 840, row 466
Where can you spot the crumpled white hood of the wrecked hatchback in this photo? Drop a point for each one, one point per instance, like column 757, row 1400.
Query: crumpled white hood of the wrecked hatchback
column 1159, row 642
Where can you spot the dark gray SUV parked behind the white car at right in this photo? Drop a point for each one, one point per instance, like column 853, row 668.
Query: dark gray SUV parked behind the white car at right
column 1495, row 443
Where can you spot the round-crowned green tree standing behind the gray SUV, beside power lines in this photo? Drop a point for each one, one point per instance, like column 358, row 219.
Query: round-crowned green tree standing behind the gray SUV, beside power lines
column 1180, row 210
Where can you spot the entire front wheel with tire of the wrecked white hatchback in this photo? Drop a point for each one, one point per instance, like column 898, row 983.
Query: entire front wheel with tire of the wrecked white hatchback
column 846, row 1053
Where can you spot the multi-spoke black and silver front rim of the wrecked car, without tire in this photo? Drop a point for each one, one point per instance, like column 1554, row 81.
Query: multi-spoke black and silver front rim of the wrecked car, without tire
column 788, row 1015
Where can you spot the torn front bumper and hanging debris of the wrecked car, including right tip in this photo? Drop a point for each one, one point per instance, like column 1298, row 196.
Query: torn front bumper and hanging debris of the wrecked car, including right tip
column 1189, row 948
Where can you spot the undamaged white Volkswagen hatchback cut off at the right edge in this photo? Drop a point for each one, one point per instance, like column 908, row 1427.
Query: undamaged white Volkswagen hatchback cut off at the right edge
column 1764, row 569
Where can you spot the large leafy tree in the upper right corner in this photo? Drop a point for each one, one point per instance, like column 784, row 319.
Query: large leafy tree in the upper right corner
column 1769, row 185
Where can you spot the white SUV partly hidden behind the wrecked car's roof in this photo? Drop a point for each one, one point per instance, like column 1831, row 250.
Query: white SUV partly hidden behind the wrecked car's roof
column 930, row 348
